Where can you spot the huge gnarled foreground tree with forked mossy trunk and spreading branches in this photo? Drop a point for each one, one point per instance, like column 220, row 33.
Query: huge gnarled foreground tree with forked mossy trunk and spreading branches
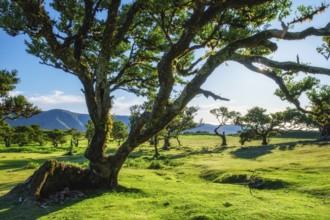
column 148, row 48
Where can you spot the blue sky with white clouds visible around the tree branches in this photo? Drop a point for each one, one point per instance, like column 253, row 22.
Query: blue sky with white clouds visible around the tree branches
column 50, row 88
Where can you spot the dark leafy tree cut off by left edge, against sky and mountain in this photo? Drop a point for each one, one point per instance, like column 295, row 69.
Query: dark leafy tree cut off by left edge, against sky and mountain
column 13, row 107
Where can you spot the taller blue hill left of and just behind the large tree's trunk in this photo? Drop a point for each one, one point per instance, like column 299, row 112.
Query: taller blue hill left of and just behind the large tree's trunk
column 60, row 119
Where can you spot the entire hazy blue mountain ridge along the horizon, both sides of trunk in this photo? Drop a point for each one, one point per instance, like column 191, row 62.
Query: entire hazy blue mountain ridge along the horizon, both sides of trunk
column 63, row 120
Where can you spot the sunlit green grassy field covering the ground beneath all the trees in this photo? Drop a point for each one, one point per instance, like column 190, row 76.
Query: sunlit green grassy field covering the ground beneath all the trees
column 199, row 180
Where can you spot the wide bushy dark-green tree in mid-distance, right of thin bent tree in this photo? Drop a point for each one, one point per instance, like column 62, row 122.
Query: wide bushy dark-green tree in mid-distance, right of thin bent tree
column 257, row 124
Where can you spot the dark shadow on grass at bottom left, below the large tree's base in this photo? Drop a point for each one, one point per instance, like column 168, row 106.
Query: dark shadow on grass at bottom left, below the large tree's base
column 10, row 208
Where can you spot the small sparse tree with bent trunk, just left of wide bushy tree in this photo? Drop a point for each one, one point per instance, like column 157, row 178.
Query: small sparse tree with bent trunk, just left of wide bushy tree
column 224, row 116
